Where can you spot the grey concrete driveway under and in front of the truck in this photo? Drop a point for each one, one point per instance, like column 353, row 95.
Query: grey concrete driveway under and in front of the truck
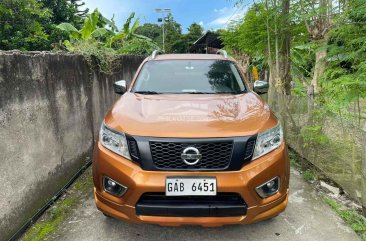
column 306, row 218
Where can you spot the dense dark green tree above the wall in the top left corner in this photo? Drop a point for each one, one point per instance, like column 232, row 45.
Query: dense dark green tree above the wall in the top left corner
column 21, row 25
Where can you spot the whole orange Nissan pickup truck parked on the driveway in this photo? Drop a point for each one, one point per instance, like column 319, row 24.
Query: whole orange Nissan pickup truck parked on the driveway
column 189, row 142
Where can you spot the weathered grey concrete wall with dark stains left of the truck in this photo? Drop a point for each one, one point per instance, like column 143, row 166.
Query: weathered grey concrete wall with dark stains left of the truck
column 51, row 106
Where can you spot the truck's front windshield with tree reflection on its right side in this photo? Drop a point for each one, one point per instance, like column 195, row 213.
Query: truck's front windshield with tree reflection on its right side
column 189, row 76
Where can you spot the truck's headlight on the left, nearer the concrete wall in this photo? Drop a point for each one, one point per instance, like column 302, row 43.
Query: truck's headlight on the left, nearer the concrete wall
column 114, row 141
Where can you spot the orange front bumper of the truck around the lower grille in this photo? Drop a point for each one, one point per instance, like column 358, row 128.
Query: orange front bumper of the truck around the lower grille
column 139, row 182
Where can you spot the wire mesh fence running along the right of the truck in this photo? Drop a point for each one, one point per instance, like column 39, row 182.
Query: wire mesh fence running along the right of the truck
column 334, row 144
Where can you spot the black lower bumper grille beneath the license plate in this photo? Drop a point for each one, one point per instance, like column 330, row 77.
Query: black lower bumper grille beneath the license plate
column 222, row 205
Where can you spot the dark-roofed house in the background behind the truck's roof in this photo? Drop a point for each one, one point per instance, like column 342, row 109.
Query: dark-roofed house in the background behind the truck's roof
column 209, row 43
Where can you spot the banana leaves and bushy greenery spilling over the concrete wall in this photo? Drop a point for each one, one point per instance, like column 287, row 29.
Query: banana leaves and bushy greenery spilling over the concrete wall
column 101, row 45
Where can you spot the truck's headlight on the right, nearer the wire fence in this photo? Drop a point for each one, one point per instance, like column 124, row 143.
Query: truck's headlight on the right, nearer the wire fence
column 268, row 140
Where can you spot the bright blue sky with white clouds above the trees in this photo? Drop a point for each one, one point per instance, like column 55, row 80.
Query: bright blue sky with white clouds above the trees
column 211, row 14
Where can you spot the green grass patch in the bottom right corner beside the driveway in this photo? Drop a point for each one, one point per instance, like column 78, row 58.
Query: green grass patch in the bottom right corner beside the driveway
column 351, row 217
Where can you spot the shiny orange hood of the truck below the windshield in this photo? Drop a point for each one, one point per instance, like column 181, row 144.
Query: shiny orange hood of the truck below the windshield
column 190, row 115
